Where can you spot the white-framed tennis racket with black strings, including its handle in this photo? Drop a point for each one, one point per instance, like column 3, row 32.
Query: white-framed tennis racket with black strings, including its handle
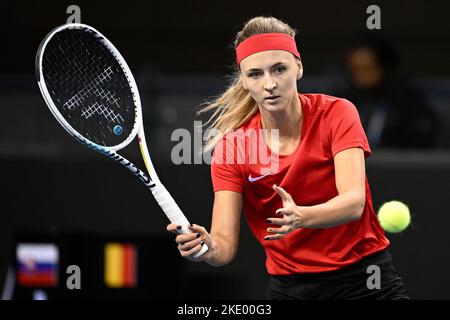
column 91, row 91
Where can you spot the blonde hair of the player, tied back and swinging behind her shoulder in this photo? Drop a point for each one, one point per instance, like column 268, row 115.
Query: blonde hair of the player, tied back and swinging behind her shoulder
column 235, row 106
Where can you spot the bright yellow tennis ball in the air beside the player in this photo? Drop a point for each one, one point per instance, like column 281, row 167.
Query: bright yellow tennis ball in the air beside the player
column 394, row 216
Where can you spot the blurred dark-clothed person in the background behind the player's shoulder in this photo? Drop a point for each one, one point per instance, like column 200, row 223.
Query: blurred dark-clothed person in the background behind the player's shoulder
column 394, row 113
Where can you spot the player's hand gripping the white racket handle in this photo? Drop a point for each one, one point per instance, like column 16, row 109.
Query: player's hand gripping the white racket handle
column 191, row 243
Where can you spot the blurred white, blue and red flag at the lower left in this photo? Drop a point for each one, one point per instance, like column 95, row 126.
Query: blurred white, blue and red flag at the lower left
column 37, row 264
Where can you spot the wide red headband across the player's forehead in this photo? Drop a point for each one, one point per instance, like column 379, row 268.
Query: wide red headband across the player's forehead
column 266, row 42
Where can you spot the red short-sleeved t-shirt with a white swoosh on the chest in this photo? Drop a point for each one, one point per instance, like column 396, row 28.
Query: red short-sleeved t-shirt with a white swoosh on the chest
column 329, row 126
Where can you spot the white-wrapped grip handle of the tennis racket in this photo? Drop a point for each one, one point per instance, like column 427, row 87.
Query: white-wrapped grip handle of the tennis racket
column 173, row 212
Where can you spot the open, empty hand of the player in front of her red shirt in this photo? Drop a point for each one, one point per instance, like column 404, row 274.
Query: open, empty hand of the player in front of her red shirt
column 292, row 216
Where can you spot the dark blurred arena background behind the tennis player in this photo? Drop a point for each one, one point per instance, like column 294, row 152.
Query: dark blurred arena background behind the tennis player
column 181, row 55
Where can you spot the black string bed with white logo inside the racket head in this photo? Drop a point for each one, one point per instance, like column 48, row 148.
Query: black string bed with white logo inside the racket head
column 89, row 86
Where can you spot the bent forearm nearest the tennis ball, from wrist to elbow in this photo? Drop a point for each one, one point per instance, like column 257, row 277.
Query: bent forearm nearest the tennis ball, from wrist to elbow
column 343, row 208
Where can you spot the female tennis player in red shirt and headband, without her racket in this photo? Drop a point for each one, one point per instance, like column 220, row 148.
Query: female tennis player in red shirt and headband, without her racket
column 312, row 211
